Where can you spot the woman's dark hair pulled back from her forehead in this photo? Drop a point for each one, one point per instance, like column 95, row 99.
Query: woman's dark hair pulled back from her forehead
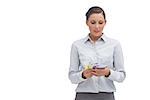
column 95, row 9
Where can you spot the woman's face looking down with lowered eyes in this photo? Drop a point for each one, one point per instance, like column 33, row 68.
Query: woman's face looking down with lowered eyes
column 96, row 23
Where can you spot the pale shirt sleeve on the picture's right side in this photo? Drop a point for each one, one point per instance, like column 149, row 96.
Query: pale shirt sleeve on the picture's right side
column 118, row 73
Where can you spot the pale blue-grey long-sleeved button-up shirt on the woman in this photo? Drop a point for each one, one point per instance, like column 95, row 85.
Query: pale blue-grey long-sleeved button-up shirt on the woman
column 106, row 52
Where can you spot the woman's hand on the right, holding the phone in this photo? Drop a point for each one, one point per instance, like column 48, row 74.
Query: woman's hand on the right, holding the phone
column 101, row 71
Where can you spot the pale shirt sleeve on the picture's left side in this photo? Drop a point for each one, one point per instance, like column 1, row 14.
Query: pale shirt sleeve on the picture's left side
column 75, row 75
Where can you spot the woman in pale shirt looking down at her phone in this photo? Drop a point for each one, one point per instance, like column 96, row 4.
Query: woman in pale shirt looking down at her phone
column 96, row 61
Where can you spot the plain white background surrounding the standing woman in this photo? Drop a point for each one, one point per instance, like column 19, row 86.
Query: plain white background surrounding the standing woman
column 35, row 41
